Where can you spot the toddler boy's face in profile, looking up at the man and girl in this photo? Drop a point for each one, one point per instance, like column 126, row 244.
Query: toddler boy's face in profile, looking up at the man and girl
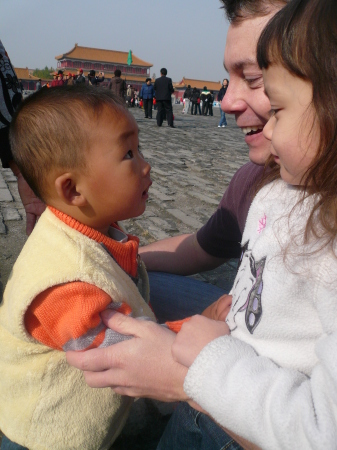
column 118, row 177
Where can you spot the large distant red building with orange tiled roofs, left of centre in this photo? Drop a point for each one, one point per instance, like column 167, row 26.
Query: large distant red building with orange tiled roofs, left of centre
column 106, row 61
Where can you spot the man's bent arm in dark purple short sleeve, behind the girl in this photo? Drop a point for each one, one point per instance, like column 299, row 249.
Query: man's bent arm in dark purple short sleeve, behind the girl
column 218, row 240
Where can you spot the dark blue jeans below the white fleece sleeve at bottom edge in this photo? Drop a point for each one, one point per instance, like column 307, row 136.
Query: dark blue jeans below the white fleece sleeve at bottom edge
column 189, row 429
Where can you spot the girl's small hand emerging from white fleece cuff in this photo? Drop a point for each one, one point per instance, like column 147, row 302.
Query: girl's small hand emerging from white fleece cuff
column 194, row 336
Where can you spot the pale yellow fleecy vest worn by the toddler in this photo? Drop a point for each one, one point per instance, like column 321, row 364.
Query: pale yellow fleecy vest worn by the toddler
column 45, row 403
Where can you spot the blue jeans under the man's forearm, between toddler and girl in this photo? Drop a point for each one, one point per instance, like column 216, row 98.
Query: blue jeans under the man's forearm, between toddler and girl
column 174, row 297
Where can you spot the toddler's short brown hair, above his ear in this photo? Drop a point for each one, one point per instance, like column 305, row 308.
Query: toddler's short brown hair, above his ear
column 51, row 129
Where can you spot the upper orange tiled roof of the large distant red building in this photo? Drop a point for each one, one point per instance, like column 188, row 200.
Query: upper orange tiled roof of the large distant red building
column 101, row 55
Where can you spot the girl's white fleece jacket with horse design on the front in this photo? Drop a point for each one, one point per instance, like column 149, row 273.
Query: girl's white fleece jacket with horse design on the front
column 274, row 380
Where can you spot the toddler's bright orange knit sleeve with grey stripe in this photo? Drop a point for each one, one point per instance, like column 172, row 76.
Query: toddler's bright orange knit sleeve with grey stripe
column 67, row 316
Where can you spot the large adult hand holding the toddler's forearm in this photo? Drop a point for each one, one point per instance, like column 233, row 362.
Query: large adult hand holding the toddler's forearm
column 139, row 367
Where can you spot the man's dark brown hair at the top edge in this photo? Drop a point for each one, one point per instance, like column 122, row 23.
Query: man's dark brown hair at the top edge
column 238, row 10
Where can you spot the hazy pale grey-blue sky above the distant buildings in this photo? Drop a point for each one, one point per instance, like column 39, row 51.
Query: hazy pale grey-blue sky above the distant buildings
column 187, row 37
